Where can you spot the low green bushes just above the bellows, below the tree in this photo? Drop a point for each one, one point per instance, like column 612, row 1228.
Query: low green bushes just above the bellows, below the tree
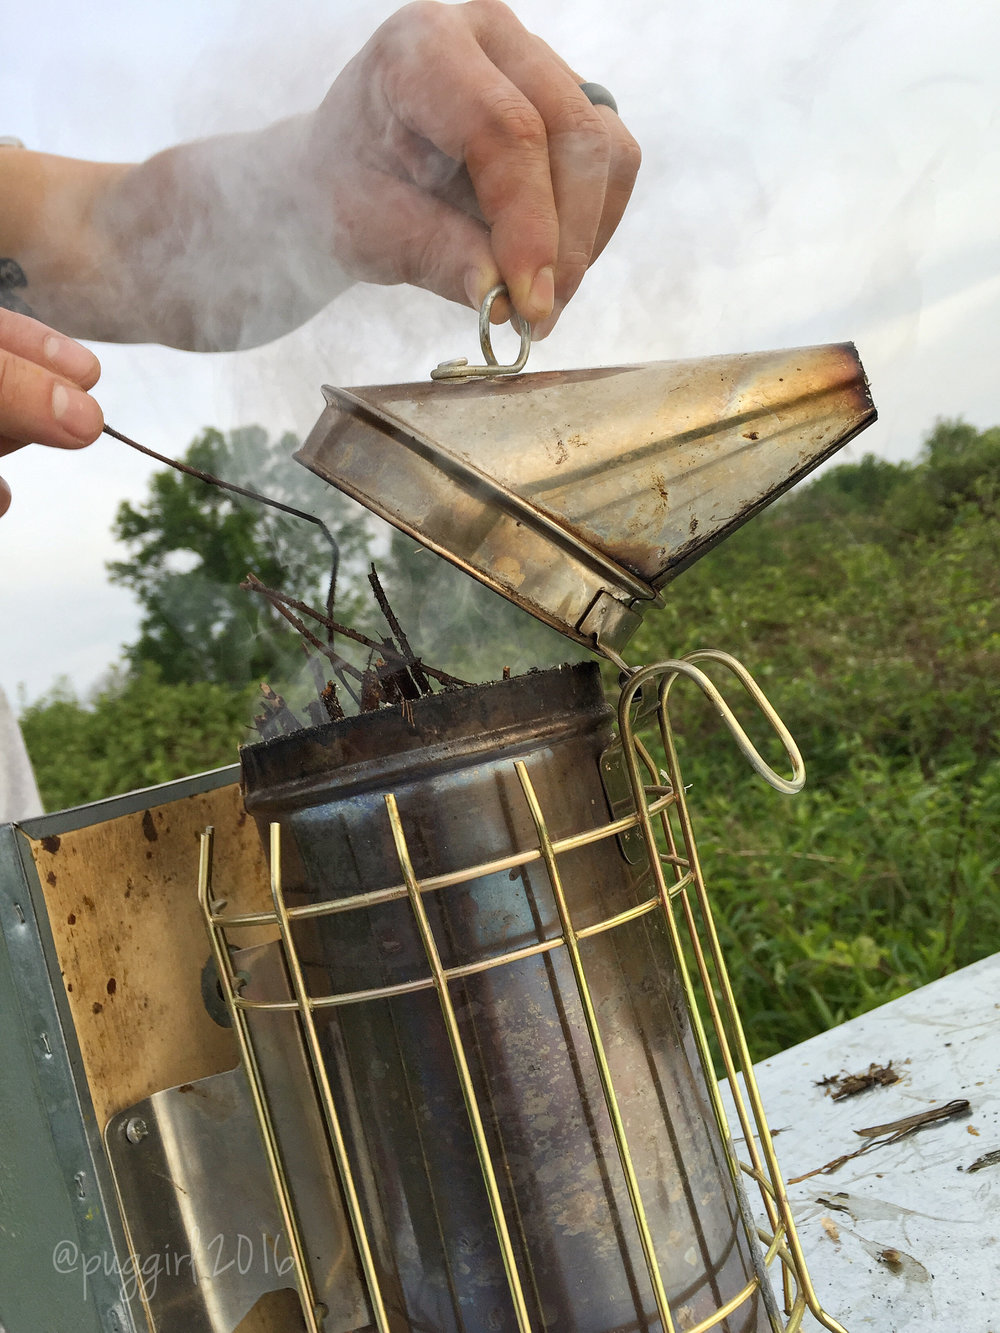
column 137, row 732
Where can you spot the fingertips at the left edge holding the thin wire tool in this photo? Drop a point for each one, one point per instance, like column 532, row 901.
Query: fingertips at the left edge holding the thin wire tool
column 43, row 383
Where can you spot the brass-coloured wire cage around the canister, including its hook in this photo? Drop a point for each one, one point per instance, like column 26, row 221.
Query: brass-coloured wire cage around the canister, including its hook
column 657, row 827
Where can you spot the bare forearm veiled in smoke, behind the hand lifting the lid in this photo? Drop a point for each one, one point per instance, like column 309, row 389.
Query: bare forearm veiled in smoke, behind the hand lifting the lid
column 209, row 246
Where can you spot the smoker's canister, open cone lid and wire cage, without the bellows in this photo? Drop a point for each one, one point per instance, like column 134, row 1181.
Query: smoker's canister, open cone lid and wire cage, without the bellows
column 482, row 899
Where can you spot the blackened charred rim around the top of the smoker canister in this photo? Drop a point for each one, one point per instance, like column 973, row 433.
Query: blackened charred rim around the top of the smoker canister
column 449, row 728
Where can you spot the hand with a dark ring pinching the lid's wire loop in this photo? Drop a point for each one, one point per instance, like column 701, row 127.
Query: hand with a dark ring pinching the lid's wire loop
column 457, row 151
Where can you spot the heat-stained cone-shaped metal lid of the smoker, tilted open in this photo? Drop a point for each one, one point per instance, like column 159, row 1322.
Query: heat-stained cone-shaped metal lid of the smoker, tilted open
column 581, row 494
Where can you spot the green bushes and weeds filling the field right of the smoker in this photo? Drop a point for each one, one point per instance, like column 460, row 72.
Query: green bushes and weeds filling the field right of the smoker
column 869, row 609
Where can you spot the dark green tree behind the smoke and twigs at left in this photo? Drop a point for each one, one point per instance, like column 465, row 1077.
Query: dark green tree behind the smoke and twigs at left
column 191, row 545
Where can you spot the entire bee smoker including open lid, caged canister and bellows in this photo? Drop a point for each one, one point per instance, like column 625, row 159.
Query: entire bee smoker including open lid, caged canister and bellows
column 461, row 1068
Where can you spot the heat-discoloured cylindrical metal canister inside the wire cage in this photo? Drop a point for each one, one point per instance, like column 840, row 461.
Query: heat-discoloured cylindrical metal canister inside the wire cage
column 546, row 1119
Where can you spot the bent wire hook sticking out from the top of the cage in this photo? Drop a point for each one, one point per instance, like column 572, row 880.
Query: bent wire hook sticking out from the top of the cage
column 673, row 668
